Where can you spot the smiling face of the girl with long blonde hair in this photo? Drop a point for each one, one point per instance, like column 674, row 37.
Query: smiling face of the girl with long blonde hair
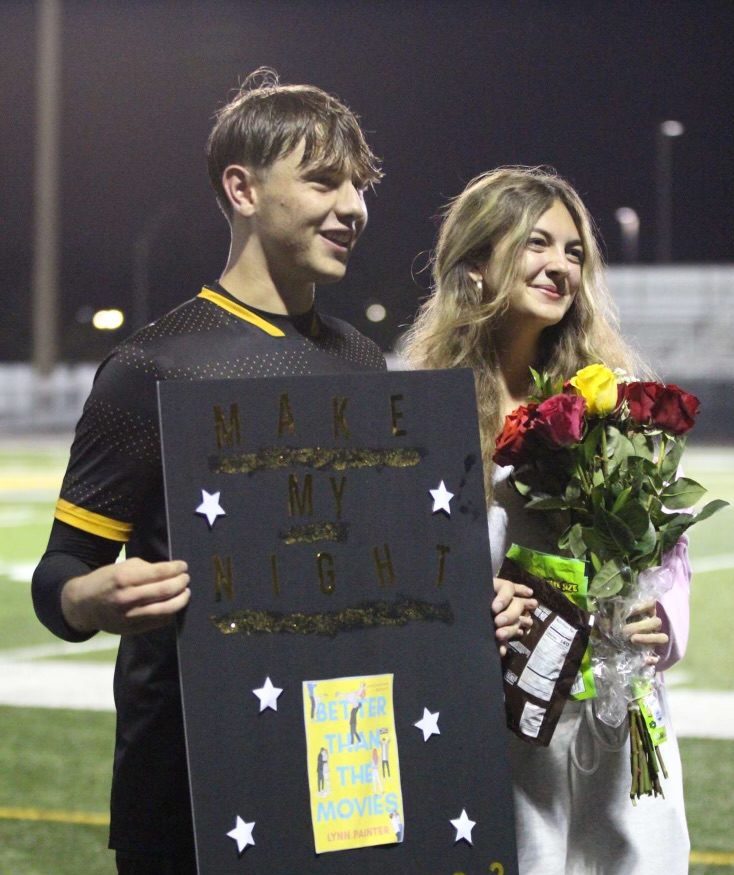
column 550, row 269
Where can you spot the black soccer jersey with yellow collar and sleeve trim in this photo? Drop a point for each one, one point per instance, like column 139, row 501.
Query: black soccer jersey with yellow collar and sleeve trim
column 113, row 489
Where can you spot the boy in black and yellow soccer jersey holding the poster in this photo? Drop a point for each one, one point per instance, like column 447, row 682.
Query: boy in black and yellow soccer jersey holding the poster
column 289, row 165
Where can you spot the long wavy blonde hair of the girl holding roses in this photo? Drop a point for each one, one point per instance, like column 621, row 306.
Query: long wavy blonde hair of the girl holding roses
column 457, row 325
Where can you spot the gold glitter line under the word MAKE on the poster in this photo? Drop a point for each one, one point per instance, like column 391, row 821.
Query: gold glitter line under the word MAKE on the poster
column 336, row 459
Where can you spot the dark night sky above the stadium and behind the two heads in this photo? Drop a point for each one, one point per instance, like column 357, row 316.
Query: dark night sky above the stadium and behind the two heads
column 446, row 90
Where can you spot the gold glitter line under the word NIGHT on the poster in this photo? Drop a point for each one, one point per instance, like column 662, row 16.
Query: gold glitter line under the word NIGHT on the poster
column 364, row 616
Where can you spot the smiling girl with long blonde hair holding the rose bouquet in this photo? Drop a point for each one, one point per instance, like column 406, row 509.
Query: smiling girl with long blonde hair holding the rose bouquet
column 518, row 282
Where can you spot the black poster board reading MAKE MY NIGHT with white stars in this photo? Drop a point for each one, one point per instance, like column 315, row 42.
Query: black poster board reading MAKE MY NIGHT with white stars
column 321, row 553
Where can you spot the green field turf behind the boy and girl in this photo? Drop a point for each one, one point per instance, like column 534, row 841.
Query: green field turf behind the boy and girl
column 54, row 764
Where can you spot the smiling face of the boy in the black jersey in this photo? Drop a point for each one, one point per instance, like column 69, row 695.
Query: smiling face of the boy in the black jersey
column 307, row 220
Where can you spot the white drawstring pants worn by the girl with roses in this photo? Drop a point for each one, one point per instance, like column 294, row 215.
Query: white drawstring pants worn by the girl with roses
column 572, row 808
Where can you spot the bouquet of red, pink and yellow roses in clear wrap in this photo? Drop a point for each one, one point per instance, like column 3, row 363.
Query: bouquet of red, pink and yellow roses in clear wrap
column 602, row 453
